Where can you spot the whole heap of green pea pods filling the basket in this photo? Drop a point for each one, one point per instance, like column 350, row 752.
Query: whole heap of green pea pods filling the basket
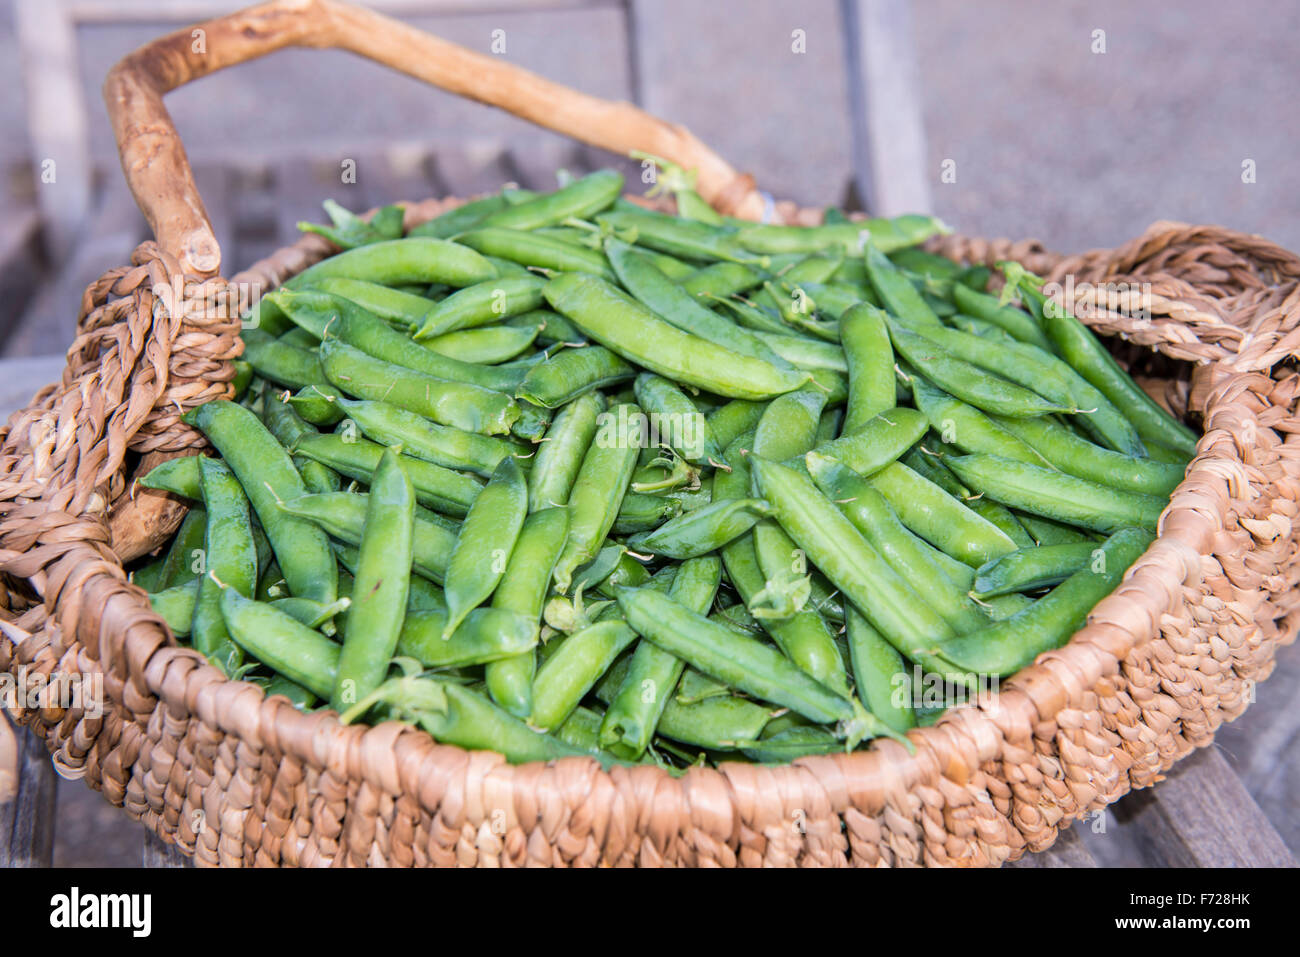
column 557, row 475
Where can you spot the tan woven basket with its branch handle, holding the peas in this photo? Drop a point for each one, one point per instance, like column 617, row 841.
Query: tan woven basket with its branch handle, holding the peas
column 237, row 780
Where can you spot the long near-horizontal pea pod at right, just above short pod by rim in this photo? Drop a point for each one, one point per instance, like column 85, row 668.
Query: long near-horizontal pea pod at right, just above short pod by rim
column 1058, row 496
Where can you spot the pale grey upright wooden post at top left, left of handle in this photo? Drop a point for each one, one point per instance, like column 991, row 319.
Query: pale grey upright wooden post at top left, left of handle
column 57, row 120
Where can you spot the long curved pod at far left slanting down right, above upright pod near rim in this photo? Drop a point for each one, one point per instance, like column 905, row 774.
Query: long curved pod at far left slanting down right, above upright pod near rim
column 268, row 478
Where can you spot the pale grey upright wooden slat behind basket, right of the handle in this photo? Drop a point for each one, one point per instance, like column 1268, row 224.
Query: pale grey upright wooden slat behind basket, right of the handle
column 890, row 157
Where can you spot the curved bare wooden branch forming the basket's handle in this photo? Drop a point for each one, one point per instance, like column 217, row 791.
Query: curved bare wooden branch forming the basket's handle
column 159, row 172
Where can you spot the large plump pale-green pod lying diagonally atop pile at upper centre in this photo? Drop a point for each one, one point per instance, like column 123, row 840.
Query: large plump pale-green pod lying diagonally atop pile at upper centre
column 626, row 327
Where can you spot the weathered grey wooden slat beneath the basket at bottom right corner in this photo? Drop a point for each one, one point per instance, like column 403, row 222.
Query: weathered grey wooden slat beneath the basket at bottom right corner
column 1202, row 817
